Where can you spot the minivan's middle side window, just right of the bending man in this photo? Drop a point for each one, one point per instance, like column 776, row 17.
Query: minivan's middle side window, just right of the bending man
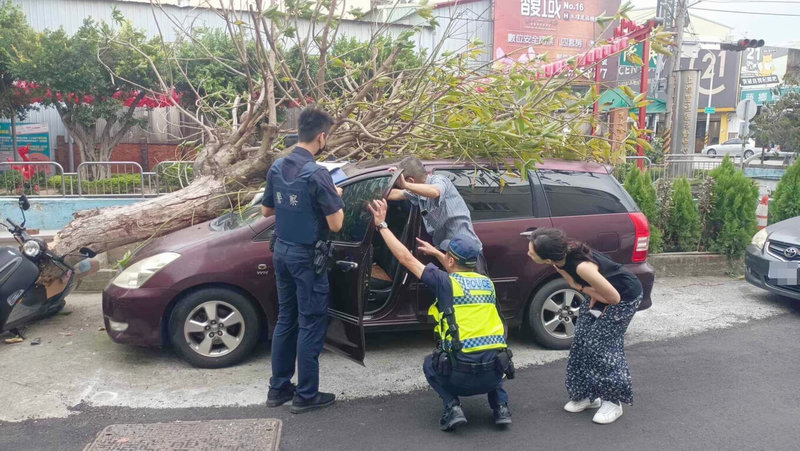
column 492, row 194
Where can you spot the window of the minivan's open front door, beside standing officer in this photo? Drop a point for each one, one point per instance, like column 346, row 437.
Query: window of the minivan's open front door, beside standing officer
column 356, row 196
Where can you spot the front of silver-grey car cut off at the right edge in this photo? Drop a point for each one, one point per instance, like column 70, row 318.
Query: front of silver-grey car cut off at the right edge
column 772, row 260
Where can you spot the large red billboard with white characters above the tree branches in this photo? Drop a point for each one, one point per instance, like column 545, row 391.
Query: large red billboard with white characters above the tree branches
column 524, row 29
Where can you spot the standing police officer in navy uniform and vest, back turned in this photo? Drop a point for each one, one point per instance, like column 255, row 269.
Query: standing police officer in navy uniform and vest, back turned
column 306, row 205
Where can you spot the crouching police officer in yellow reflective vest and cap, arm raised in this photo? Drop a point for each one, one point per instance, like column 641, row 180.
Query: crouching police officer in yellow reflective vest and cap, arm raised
column 472, row 356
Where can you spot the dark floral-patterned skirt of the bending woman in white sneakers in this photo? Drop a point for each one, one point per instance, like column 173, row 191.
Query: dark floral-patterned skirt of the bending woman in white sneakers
column 597, row 367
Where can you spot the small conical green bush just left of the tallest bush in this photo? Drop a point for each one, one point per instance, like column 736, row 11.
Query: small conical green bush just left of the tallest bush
column 682, row 231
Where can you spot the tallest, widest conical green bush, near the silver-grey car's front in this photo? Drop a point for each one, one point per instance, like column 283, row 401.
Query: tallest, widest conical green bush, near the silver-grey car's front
column 732, row 222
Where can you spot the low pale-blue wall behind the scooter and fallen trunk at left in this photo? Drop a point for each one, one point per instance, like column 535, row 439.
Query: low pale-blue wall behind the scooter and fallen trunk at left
column 55, row 213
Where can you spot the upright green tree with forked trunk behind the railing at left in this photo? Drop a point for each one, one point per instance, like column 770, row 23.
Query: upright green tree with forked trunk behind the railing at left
column 93, row 80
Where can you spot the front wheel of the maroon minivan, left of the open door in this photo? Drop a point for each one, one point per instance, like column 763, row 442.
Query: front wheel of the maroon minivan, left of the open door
column 203, row 312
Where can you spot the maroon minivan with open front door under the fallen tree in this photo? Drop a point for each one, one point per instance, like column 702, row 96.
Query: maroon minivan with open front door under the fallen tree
column 209, row 290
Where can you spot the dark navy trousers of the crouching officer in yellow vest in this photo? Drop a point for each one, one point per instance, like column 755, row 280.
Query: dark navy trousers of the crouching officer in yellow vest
column 466, row 384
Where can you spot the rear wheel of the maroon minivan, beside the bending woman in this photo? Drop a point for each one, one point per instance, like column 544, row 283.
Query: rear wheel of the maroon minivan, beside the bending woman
column 550, row 304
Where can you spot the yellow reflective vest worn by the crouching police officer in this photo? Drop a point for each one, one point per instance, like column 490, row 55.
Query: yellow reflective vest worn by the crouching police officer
column 475, row 312
